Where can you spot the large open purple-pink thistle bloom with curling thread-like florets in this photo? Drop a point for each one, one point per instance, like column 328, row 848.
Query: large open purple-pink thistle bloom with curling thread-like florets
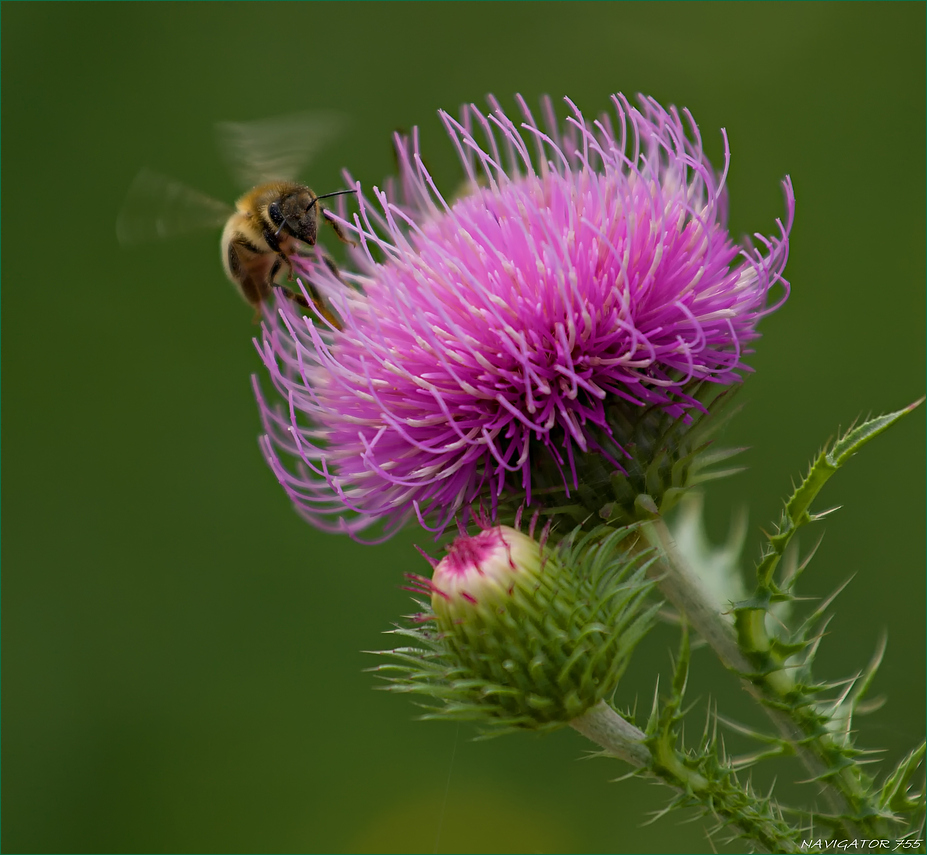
column 582, row 267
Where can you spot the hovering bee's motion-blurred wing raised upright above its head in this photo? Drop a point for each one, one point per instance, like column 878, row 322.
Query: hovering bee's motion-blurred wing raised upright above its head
column 278, row 148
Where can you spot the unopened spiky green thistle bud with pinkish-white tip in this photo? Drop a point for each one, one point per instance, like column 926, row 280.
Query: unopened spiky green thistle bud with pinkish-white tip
column 524, row 635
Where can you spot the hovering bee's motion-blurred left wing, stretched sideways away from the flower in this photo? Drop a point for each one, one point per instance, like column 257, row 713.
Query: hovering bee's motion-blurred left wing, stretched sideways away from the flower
column 160, row 207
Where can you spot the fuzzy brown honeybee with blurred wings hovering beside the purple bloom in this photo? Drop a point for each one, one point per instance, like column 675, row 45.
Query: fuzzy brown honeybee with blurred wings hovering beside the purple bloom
column 270, row 224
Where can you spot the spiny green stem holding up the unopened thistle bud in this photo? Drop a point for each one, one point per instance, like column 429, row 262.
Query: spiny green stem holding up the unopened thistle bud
column 722, row 797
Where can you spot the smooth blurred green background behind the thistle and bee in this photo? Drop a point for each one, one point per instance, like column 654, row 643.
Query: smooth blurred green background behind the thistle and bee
column 181, row 665
